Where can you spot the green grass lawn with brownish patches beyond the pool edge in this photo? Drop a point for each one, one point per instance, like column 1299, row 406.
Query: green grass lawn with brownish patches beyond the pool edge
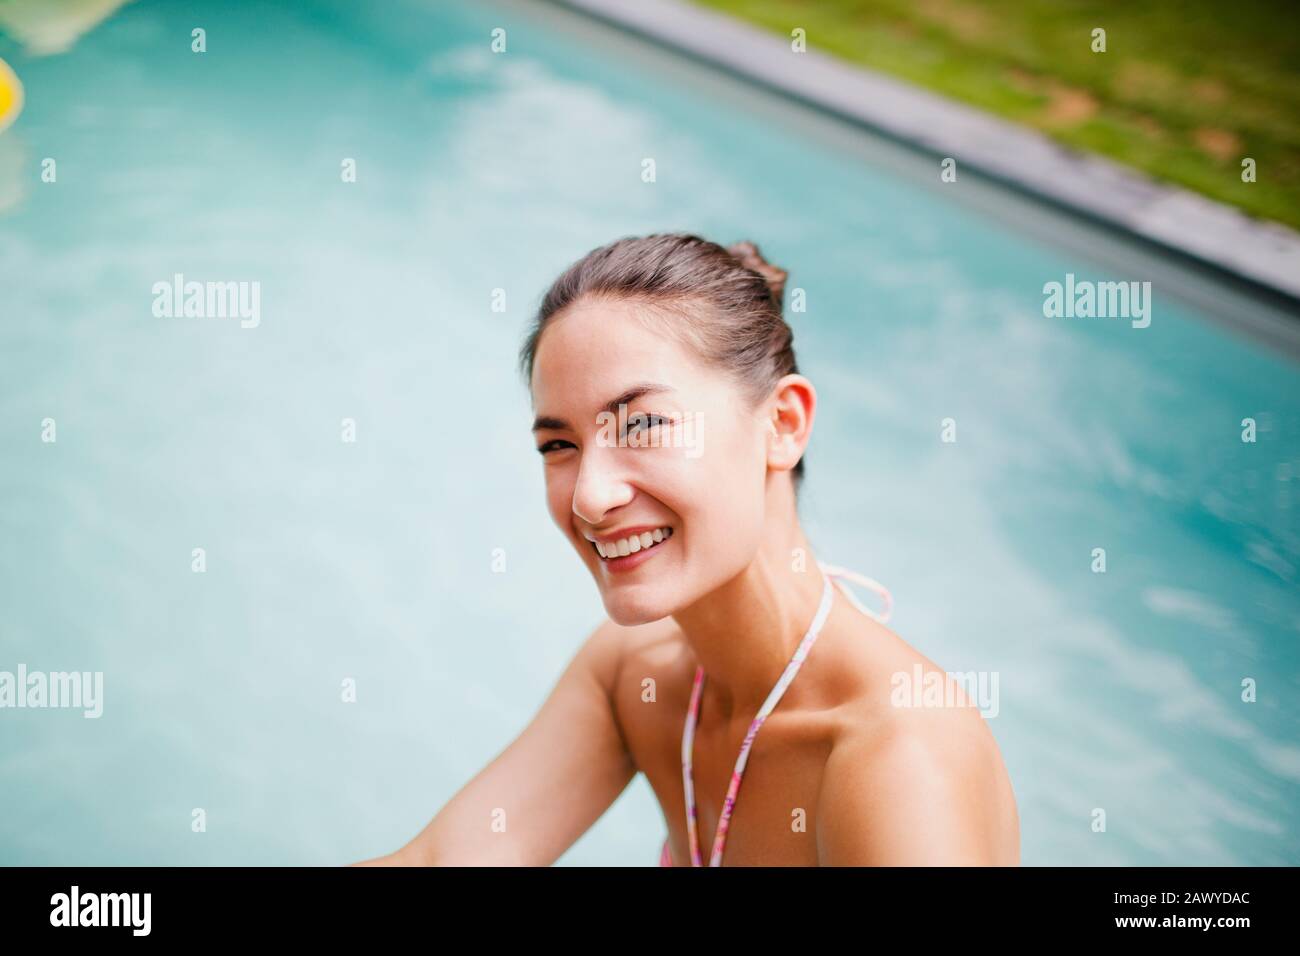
column 1184, row 93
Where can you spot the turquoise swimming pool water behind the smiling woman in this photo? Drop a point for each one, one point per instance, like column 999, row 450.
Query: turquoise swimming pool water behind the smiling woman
column 372, row 560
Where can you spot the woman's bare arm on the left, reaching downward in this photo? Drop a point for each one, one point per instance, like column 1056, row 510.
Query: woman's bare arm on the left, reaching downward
column 548, row 788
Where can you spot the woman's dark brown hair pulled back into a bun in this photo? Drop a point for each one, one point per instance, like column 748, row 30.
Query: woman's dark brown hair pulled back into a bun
column 725, row 302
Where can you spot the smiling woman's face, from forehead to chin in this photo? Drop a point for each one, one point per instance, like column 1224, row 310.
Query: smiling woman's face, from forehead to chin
column 682, row 468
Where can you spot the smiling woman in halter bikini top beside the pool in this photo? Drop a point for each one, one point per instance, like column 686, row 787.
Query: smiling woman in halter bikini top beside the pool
column 673, row 423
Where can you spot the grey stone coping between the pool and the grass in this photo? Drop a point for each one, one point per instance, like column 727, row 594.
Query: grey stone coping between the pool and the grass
column 1264, row 254
